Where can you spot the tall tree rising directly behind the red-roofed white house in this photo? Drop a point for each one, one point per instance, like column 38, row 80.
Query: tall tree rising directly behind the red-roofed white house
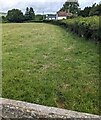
column 71, row 6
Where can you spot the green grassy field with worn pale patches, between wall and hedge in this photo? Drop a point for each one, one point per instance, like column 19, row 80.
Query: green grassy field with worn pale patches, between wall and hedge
column 48, row 65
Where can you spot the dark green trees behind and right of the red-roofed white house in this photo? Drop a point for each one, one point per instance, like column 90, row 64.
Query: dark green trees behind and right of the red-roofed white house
column 73, row 7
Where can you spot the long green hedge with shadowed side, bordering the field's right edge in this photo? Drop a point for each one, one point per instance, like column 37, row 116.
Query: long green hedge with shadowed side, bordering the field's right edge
column 88, row 27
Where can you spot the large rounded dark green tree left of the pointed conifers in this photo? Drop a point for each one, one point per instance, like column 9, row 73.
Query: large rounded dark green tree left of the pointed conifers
column 15, row 15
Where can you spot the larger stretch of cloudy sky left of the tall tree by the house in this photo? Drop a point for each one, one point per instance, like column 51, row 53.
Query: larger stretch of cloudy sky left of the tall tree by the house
column 39, row 6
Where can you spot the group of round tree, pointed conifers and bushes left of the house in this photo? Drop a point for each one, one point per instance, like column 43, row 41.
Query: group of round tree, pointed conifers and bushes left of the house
column 16, row 15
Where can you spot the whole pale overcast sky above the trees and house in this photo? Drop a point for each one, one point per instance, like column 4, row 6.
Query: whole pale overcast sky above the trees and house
column 48, row 6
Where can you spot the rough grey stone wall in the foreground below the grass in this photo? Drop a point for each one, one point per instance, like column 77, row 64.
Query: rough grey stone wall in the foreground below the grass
column 11, row 109
